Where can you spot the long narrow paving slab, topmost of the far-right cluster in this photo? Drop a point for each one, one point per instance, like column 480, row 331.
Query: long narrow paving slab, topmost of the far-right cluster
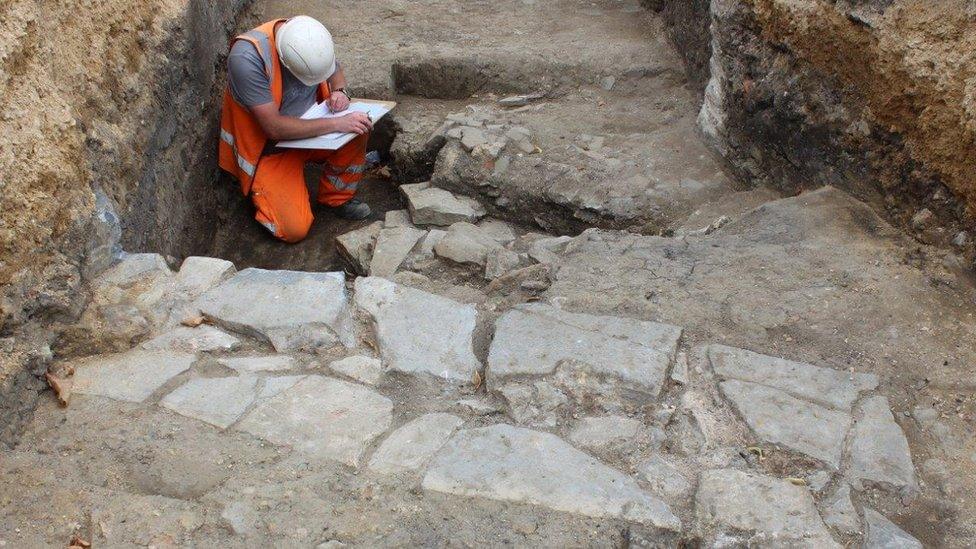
column 825, row 386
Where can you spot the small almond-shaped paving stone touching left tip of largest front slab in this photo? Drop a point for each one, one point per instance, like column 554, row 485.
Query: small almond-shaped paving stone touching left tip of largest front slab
column 410, row 447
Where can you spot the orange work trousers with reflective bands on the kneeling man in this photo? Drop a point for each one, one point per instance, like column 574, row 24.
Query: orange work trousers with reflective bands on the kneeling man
column 280, row 194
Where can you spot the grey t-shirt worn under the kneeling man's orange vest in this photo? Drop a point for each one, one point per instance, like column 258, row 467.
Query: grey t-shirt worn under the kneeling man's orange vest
column 251, row 86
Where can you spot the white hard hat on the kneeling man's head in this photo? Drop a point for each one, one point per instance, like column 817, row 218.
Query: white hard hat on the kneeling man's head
column 305, row 48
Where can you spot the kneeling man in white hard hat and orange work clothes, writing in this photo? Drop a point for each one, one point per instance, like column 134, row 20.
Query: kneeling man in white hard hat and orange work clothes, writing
column 276, row 73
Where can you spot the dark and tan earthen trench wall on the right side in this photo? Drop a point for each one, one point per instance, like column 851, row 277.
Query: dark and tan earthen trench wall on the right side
column 874, row 96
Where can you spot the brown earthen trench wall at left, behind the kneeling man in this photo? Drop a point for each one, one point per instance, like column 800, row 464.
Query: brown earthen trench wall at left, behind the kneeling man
column 106, row 128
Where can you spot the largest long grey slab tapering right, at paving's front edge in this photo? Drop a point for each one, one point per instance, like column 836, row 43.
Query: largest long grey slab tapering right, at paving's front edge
column 508, row 463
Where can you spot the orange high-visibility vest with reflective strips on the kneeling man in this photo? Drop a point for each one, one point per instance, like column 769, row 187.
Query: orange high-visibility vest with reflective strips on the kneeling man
column 241, row 138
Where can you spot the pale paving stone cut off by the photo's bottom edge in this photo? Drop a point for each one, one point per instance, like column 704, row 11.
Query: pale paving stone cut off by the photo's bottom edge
column 768, row 512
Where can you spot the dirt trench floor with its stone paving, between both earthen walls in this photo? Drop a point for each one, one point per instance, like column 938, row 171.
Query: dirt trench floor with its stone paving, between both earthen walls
column 566, row 327
